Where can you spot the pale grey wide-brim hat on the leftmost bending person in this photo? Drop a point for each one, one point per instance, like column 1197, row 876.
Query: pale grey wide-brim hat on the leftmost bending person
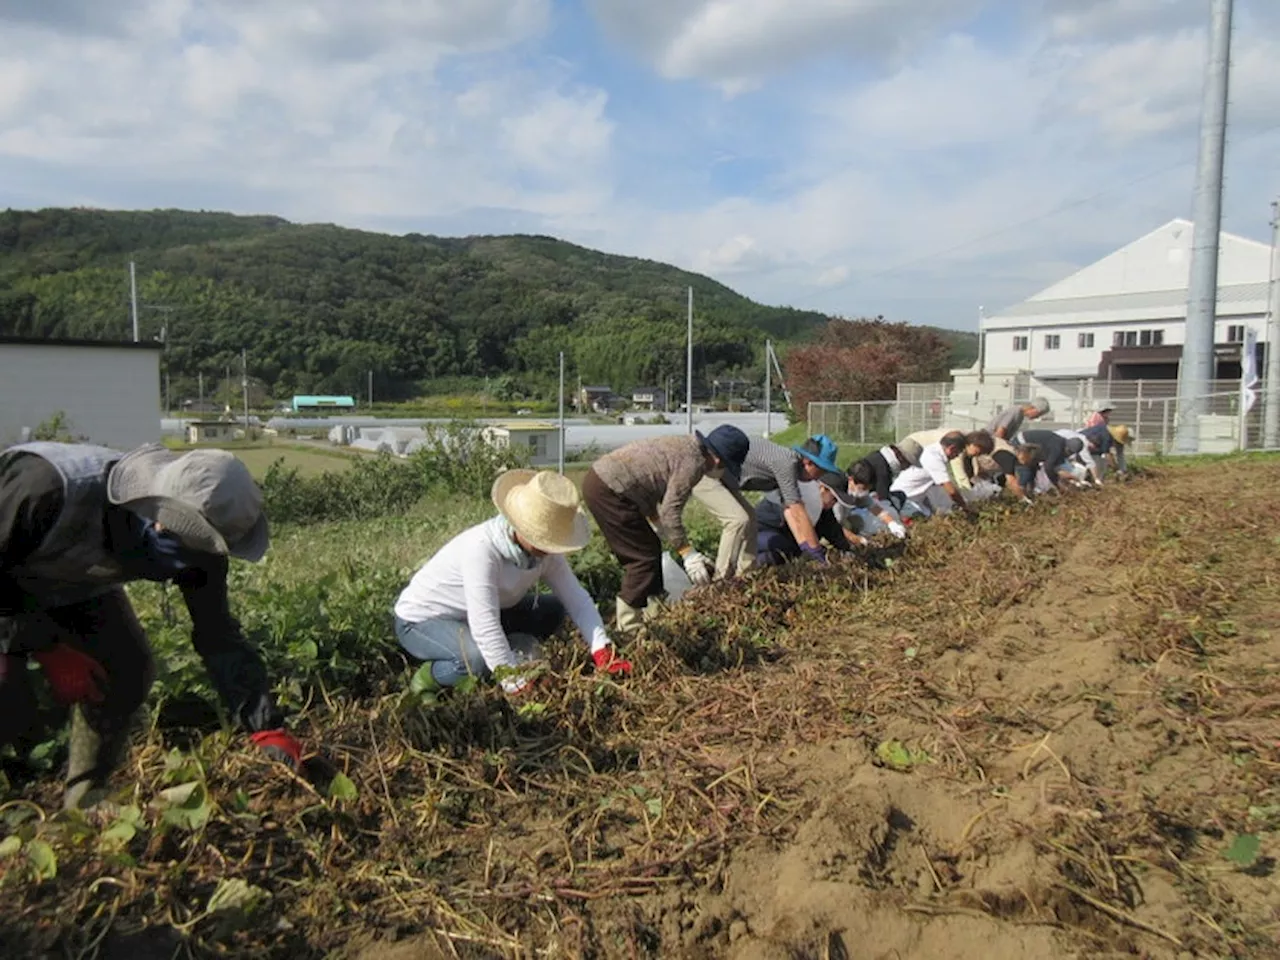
column 205, row 499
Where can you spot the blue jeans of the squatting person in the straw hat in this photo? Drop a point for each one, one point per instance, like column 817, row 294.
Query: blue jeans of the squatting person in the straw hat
column 452, row 652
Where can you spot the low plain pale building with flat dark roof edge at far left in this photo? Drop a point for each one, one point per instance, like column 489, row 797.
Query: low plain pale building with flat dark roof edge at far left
column 108, row 394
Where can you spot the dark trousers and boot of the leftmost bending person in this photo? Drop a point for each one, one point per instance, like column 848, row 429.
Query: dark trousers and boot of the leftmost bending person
column 107, row 629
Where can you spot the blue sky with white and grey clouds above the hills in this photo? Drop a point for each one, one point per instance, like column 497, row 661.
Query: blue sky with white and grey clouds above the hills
column 854, row 157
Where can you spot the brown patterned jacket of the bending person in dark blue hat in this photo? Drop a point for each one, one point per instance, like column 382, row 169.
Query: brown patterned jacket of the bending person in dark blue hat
column 659, row 477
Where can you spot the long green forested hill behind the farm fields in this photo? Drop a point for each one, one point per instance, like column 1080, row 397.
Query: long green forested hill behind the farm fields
column 318, row 307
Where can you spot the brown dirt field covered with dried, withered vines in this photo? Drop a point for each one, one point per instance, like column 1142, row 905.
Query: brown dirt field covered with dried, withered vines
column 1053, row 734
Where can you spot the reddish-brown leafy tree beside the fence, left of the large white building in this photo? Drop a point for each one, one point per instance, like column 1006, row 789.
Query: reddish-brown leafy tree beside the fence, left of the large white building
column 865, row 360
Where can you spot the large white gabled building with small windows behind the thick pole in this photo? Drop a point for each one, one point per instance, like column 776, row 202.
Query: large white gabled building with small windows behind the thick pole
column 1124, row 317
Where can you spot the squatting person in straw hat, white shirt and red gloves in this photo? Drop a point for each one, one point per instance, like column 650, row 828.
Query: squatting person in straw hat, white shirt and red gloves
column 472, row 610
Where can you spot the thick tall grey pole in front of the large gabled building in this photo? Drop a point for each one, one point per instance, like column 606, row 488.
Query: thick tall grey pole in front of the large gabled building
column 1197, row 367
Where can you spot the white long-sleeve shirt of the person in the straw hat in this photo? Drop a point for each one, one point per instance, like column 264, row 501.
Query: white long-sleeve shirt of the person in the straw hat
column 473, row 579
